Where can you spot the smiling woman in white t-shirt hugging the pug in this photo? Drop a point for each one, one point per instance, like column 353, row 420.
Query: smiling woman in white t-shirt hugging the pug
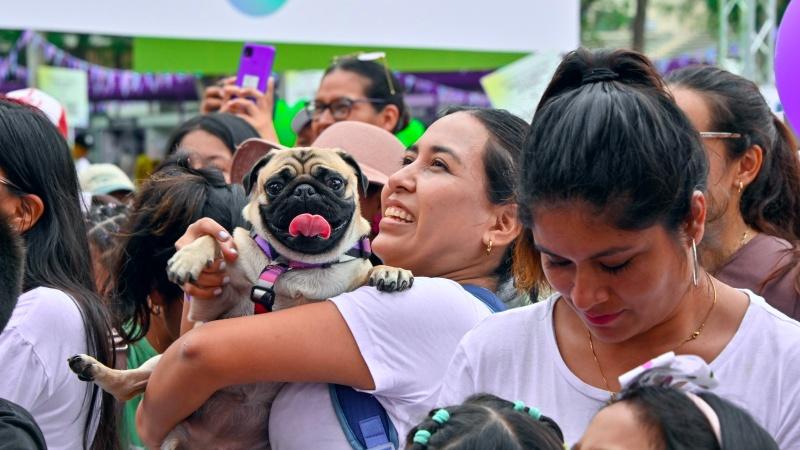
column 446, row 222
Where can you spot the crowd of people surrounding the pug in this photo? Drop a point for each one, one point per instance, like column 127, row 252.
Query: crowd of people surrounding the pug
column 622, row 272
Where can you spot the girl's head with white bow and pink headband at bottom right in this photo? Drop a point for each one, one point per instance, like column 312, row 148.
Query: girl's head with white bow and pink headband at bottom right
column 665, row 404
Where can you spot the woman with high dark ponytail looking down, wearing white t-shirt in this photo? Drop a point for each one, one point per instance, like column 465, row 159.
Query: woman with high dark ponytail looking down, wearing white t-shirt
column 611, row 192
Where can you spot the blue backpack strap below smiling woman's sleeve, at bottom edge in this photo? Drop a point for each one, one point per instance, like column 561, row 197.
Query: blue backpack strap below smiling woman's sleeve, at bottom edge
column 363, row 419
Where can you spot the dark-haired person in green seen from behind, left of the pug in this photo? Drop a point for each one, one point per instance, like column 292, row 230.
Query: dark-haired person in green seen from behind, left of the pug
column 146, row 305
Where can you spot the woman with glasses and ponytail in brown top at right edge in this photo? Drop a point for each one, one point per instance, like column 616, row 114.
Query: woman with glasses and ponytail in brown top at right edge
column 752, row 238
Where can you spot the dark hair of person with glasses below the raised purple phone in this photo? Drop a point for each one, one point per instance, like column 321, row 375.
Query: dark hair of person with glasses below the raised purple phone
column 230, row 129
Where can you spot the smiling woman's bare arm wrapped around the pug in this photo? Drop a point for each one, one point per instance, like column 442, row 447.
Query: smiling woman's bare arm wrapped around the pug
column 213, row 356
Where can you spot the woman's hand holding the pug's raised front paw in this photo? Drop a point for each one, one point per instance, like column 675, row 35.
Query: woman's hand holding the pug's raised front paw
column 209, row 284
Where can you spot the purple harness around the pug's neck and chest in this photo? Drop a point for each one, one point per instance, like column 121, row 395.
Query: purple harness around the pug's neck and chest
column 263, row 292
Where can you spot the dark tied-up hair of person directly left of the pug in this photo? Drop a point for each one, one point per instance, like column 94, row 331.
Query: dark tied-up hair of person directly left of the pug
column 163, row 208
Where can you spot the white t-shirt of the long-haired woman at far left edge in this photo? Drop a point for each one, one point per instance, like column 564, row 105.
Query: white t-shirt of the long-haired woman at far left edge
column 45, row 329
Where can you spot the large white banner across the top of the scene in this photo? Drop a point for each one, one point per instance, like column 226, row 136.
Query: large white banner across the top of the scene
column 494, row 25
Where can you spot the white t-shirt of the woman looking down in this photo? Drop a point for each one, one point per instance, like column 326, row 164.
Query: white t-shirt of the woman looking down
column 514, row 355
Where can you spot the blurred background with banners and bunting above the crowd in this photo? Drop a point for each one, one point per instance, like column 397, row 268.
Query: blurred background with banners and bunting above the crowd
column 128, row 72
